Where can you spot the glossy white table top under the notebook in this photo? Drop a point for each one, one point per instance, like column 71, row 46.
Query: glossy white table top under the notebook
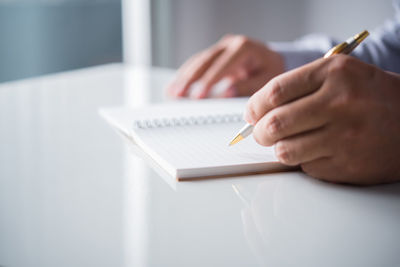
column 73, row 194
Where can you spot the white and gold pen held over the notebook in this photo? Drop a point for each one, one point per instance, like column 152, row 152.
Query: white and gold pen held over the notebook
column 343, row 48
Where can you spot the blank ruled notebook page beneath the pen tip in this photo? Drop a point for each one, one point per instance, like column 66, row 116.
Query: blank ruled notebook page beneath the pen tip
column 204, row 146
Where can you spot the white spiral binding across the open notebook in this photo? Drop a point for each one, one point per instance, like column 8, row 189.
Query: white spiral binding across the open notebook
column 187, row 121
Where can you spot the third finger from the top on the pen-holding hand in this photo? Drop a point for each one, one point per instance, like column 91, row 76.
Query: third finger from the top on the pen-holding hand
column 304, row 147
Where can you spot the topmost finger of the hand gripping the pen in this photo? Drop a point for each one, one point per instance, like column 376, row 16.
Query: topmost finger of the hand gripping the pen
column 285, row 88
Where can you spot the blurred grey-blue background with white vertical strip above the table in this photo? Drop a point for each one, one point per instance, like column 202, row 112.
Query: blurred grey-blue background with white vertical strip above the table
column 45, row 36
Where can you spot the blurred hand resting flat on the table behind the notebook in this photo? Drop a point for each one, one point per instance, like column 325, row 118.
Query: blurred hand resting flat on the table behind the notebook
column 248, row 65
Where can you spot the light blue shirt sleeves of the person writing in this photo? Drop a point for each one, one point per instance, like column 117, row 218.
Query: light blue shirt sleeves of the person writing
column 382, row 48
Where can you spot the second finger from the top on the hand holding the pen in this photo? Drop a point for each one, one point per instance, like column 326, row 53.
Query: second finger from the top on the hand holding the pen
column 299, row 116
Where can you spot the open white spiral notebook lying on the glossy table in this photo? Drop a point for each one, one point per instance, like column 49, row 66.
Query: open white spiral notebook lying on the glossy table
column 189, row 139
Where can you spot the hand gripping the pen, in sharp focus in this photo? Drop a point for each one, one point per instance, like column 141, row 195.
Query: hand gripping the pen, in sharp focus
column 338, row 118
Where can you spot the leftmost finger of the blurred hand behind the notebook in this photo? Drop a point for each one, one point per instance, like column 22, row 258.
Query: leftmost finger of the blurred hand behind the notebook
column 193, row 70
